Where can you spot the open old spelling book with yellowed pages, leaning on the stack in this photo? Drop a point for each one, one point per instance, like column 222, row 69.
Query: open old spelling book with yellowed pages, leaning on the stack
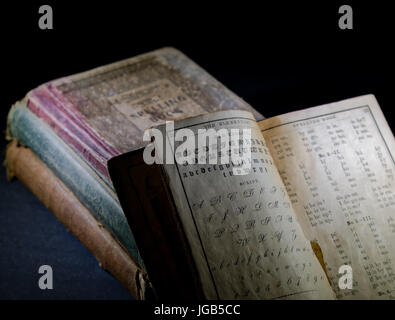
column 320, row 184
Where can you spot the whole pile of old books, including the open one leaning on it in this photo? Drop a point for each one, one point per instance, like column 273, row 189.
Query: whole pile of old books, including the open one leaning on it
column 309, row 214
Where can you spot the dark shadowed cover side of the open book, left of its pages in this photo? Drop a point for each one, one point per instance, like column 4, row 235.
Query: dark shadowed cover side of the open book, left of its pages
column 149, row 207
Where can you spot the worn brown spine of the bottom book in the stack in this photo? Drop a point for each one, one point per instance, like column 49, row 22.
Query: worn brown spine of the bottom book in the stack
column 31, row 171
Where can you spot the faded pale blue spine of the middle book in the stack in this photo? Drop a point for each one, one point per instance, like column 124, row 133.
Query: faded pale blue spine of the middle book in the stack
column 73, row 172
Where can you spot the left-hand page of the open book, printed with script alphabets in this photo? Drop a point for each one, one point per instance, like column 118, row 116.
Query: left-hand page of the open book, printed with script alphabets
column 241, row 228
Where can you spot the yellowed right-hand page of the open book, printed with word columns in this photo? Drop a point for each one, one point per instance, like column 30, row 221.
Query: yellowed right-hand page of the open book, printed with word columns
column 337, row 164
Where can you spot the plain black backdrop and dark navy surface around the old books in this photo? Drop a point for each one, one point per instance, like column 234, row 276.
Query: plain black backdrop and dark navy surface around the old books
column 278, row 57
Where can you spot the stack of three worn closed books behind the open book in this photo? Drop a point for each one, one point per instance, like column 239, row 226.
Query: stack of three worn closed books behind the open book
column 63, row 133
